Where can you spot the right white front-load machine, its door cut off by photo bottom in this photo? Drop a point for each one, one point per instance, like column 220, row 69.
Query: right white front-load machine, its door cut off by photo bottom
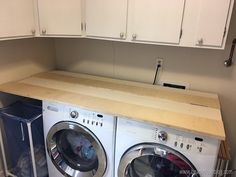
column 149, row 150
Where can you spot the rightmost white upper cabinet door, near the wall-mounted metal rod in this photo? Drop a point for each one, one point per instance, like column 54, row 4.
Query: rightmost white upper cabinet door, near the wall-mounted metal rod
column 212, row 20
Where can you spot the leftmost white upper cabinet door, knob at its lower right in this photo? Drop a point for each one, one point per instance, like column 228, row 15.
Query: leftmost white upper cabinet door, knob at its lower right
column 16, row 18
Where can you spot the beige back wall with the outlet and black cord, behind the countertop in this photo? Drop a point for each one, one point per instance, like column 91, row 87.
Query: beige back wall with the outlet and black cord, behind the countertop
column 202, row 69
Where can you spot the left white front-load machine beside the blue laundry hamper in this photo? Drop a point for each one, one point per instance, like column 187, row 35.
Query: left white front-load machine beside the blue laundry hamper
column 79, row 143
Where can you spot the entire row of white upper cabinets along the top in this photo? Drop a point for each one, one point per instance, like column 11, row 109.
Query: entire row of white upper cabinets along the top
column 186, row 23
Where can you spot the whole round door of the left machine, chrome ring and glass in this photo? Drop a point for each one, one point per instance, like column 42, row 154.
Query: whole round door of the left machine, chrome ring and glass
column 75, row 150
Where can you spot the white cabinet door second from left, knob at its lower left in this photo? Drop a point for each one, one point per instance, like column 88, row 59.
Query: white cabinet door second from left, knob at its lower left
column 60, row 17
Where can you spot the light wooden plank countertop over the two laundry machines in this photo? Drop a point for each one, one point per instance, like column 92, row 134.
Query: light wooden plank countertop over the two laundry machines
column 186, row 110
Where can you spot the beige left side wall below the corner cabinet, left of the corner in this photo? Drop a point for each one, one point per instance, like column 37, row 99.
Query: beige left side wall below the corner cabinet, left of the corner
column 22, row 58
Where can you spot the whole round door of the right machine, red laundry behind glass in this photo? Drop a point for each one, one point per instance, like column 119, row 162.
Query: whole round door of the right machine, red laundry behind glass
column 155, row 160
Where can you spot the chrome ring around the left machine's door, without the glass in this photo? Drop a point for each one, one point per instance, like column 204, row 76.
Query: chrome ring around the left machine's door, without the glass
column 59, row 162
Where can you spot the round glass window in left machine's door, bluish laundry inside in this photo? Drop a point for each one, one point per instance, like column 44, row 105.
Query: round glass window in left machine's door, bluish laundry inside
column 77, row 150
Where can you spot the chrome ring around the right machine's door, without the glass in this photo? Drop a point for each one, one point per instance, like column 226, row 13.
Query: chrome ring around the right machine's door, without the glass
column 145, row 149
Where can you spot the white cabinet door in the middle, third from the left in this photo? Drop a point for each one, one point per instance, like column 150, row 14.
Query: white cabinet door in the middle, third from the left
column 106, row 18
